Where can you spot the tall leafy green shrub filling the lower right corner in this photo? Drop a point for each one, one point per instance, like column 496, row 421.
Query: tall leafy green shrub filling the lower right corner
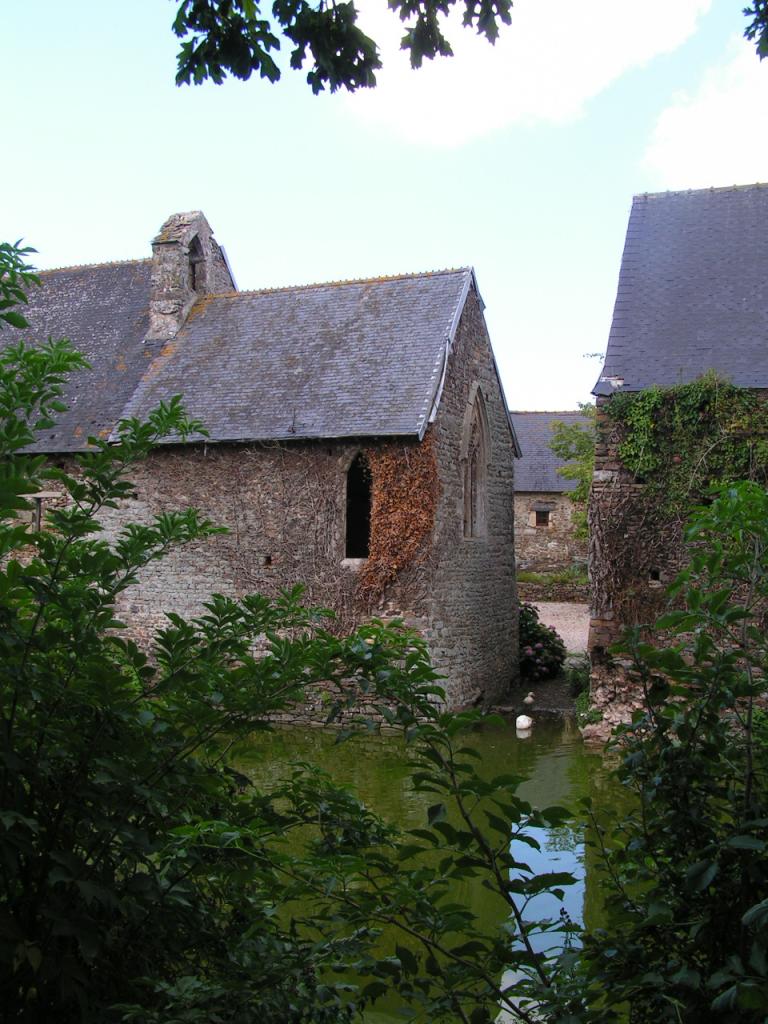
column 688, row 870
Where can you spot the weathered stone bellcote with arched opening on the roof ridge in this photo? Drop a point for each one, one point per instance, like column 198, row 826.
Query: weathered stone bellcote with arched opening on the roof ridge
column 187, row 264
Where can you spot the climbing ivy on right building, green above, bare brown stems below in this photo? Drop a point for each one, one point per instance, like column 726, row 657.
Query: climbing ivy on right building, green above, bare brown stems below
column 678, row 443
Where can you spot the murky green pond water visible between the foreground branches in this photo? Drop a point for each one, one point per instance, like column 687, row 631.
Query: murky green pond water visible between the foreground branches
column 559, row 771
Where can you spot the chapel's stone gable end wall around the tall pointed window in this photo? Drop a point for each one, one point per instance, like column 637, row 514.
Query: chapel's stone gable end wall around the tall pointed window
column 474, row 631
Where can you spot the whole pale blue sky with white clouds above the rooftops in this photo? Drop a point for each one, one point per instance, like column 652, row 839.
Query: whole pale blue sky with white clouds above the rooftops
column 521, row 160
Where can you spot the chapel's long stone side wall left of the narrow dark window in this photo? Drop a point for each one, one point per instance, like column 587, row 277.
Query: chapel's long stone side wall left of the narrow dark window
column 284, row 507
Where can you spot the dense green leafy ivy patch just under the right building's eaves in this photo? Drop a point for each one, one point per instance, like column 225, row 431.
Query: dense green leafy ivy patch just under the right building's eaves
column 682, row 441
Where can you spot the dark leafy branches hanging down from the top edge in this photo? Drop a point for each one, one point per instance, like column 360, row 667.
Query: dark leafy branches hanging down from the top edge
column 238, row 37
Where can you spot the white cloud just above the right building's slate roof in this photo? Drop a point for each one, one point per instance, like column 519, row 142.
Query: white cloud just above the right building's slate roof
column 717, row 136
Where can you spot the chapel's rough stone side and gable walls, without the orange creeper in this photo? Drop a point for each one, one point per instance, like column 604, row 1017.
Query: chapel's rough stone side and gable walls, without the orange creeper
column 284, row 507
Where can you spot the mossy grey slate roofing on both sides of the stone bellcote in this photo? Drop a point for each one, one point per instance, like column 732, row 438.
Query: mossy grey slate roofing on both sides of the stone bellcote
column 357, row 359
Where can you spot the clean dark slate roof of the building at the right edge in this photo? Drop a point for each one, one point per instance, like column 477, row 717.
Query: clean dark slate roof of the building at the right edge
column 693, row 291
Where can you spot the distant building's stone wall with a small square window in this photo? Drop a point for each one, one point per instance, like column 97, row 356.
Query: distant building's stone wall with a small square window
column 551, row 547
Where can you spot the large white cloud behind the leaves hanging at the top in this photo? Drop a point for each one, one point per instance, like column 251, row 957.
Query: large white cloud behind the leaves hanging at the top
column 554, row 58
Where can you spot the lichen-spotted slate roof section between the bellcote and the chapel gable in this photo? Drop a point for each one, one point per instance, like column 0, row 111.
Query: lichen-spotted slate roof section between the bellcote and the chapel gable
column 357, row 359
